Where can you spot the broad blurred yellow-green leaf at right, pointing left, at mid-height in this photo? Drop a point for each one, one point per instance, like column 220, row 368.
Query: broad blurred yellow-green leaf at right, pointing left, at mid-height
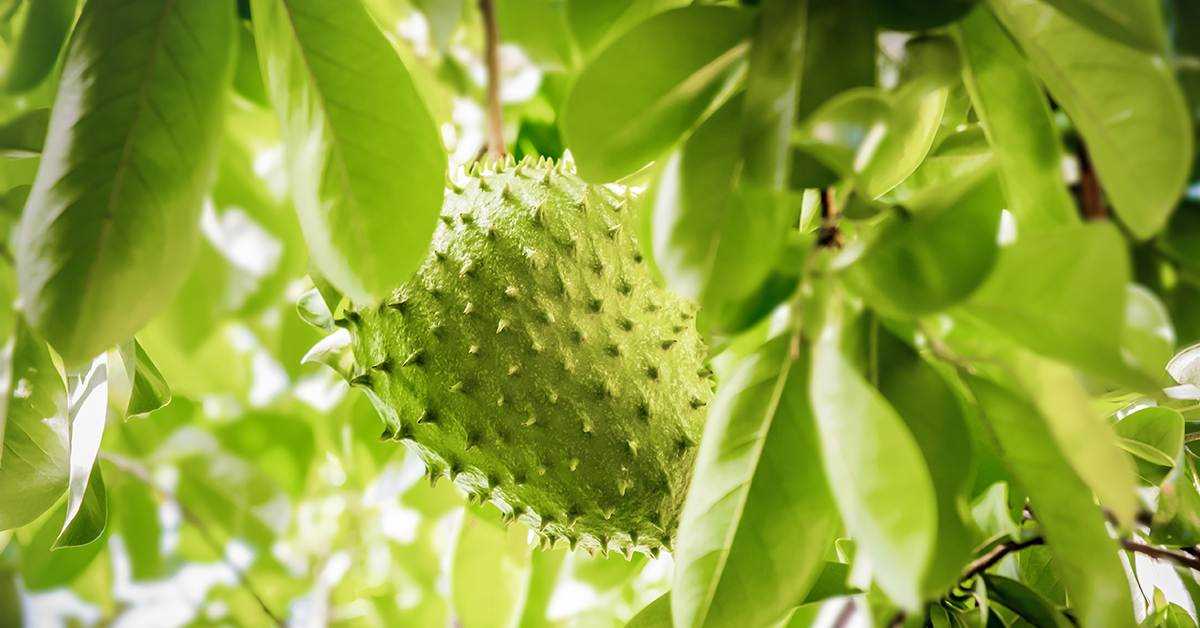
column 1063, row 294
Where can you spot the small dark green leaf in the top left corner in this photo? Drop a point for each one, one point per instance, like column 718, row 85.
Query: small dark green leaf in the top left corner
column 46, row 28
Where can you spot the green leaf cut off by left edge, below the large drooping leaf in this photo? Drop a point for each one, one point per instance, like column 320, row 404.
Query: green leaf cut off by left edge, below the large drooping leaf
column 34, row 462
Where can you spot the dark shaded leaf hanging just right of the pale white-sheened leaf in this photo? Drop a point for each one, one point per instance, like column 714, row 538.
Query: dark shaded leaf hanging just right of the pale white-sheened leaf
column 933, row 412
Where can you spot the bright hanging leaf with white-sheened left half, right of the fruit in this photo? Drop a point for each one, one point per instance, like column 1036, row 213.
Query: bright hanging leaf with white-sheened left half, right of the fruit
column 891, row 511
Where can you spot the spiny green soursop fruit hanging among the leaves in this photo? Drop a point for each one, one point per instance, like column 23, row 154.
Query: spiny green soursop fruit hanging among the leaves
column 535, row 361
